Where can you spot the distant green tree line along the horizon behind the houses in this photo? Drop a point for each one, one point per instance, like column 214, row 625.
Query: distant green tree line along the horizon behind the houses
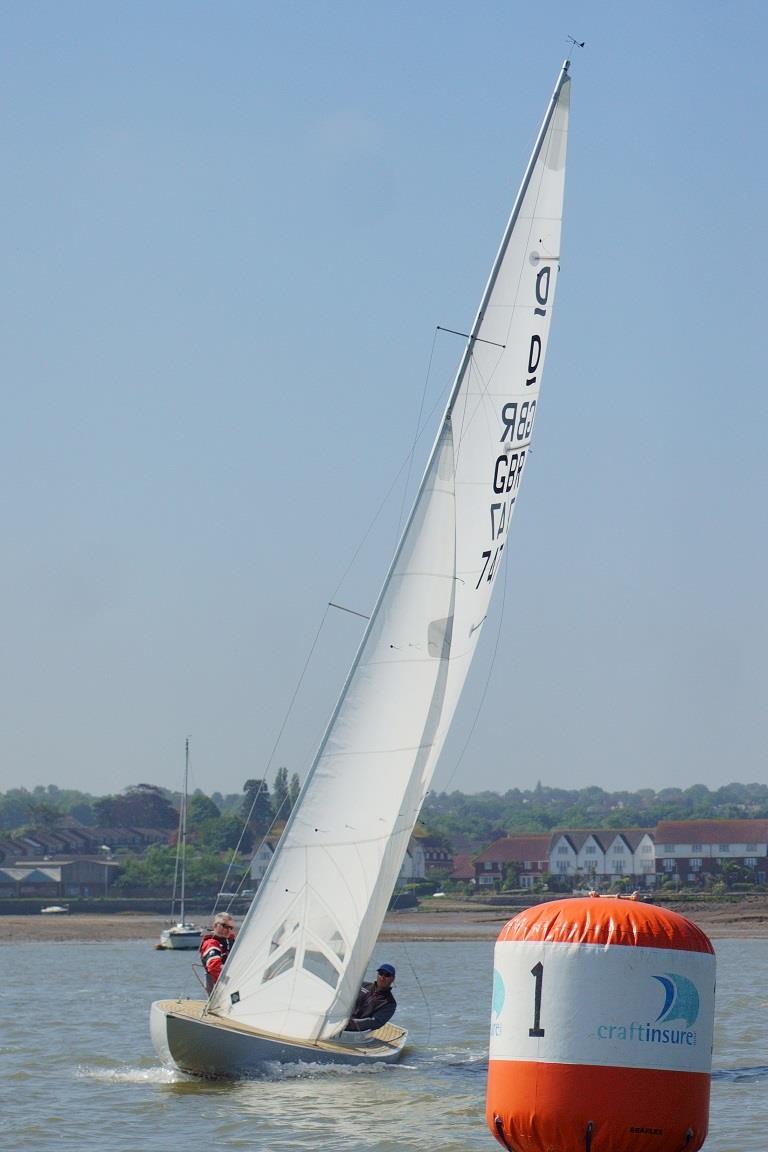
column 463, row 821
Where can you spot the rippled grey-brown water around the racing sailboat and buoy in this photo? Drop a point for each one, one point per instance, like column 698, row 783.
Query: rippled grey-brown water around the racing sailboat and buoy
column 78, row 1068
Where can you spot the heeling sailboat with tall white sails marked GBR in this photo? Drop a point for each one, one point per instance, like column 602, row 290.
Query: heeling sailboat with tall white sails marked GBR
column 293, row 976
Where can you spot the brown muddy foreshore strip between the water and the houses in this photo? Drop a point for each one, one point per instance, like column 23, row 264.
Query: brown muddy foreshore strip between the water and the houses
column 450, row 922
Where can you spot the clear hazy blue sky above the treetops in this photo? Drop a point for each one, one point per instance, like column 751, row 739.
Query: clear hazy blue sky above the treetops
column 229, row 233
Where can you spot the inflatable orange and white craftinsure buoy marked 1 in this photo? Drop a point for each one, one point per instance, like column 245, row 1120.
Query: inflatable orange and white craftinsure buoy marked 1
column 602, row 1029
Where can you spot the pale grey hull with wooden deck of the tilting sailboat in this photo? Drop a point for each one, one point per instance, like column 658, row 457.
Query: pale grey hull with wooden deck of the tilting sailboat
column 206, row 1045
